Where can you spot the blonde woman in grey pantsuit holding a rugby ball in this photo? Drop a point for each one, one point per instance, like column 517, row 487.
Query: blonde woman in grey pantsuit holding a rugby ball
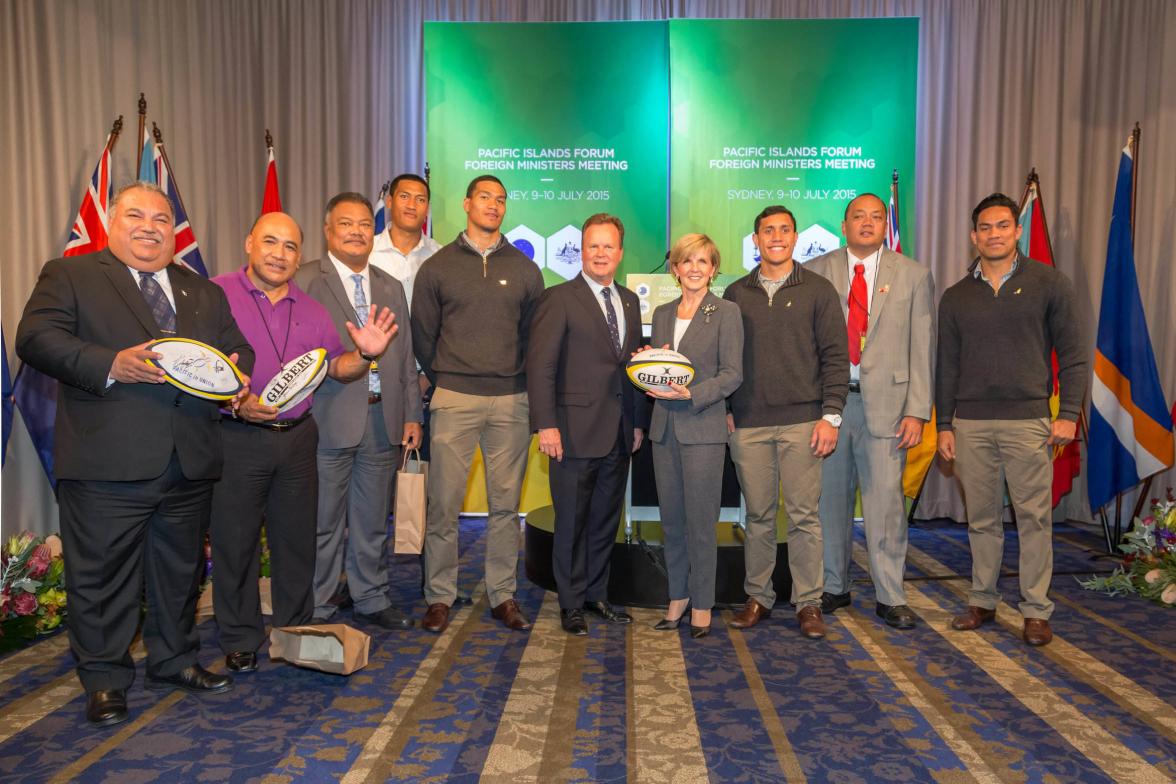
column 690, row 428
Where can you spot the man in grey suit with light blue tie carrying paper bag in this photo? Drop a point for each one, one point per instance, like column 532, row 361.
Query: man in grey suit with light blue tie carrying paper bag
column 359, row 423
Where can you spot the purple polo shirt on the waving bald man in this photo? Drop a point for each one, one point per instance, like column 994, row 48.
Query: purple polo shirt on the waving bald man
column 279, row 331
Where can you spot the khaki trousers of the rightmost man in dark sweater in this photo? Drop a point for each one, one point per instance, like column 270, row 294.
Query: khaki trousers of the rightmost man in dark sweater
column 987, row 450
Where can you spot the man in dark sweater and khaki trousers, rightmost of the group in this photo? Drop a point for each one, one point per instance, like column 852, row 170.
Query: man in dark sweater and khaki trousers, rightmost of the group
column 999, row 327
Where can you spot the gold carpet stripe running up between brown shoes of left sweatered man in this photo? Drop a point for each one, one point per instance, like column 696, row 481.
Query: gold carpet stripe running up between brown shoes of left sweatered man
column 386, row 743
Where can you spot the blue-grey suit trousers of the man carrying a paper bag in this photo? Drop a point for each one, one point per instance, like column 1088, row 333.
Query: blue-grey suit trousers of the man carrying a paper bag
column 355, row 493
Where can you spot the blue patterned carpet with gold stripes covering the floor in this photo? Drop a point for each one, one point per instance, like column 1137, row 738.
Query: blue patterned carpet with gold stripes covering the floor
column 480, row 703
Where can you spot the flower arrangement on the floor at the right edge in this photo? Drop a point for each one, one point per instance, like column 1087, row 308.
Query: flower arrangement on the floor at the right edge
column 1150, row 558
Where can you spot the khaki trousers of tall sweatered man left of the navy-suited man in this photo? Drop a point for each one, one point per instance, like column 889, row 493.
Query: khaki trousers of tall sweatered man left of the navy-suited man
column 459, row 424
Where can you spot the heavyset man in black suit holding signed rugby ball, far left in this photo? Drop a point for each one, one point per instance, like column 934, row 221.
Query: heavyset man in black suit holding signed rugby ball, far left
column 136, row 458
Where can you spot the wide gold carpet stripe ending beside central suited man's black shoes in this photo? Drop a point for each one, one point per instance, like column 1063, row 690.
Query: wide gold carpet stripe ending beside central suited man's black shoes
column 517, row 754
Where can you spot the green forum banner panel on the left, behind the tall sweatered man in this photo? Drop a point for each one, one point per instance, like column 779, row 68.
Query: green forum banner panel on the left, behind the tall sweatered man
column 573, row 118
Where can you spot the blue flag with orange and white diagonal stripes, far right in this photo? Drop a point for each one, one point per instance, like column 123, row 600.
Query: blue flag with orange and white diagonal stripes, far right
column 1131, row 424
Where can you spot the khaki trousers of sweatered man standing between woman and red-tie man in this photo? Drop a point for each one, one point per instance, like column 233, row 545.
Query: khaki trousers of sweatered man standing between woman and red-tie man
column 769, row 461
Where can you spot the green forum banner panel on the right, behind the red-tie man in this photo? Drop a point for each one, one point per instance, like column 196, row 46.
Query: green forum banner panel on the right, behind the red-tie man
column 803, row 113
